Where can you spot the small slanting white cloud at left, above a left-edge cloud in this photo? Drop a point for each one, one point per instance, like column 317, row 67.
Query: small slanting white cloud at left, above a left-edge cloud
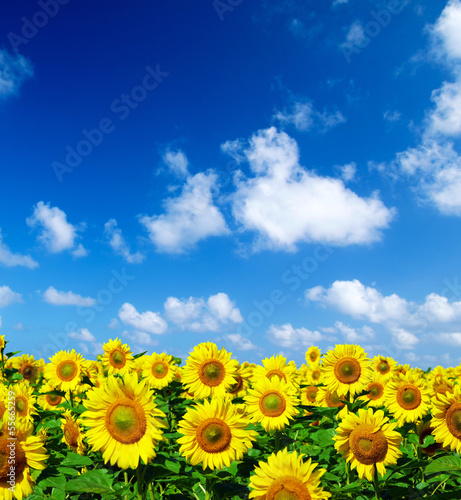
column 56, row 234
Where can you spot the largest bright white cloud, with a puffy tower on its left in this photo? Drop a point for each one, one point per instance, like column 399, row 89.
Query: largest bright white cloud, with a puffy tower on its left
column 286, row 204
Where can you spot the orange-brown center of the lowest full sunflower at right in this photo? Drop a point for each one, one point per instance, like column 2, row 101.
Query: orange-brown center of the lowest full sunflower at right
column 367, row 446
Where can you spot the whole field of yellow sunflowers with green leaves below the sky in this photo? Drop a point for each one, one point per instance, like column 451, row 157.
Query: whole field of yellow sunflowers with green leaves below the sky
column 341, row 426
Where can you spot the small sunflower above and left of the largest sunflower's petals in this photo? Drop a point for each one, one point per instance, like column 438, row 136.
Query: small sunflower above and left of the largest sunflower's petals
column 65, row 370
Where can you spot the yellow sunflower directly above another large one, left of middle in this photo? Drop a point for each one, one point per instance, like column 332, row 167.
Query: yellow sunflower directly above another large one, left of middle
column 209, row 372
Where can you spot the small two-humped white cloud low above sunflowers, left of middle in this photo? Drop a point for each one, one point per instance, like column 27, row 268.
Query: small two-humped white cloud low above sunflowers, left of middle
column 197, row 315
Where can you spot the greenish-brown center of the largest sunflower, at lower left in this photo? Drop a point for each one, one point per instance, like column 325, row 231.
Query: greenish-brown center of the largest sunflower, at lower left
column 126, row 421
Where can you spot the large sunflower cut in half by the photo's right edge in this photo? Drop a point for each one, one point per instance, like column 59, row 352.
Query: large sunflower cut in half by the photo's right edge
column 446, row 419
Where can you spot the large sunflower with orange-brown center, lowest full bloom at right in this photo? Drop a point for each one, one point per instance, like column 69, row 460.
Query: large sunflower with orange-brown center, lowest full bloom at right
column 368, row 441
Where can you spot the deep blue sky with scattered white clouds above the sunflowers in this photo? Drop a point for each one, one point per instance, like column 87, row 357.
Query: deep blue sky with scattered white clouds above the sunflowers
column 266, row 177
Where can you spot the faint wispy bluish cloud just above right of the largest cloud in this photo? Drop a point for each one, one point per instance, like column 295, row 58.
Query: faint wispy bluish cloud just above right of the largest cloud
column 303, row 117
